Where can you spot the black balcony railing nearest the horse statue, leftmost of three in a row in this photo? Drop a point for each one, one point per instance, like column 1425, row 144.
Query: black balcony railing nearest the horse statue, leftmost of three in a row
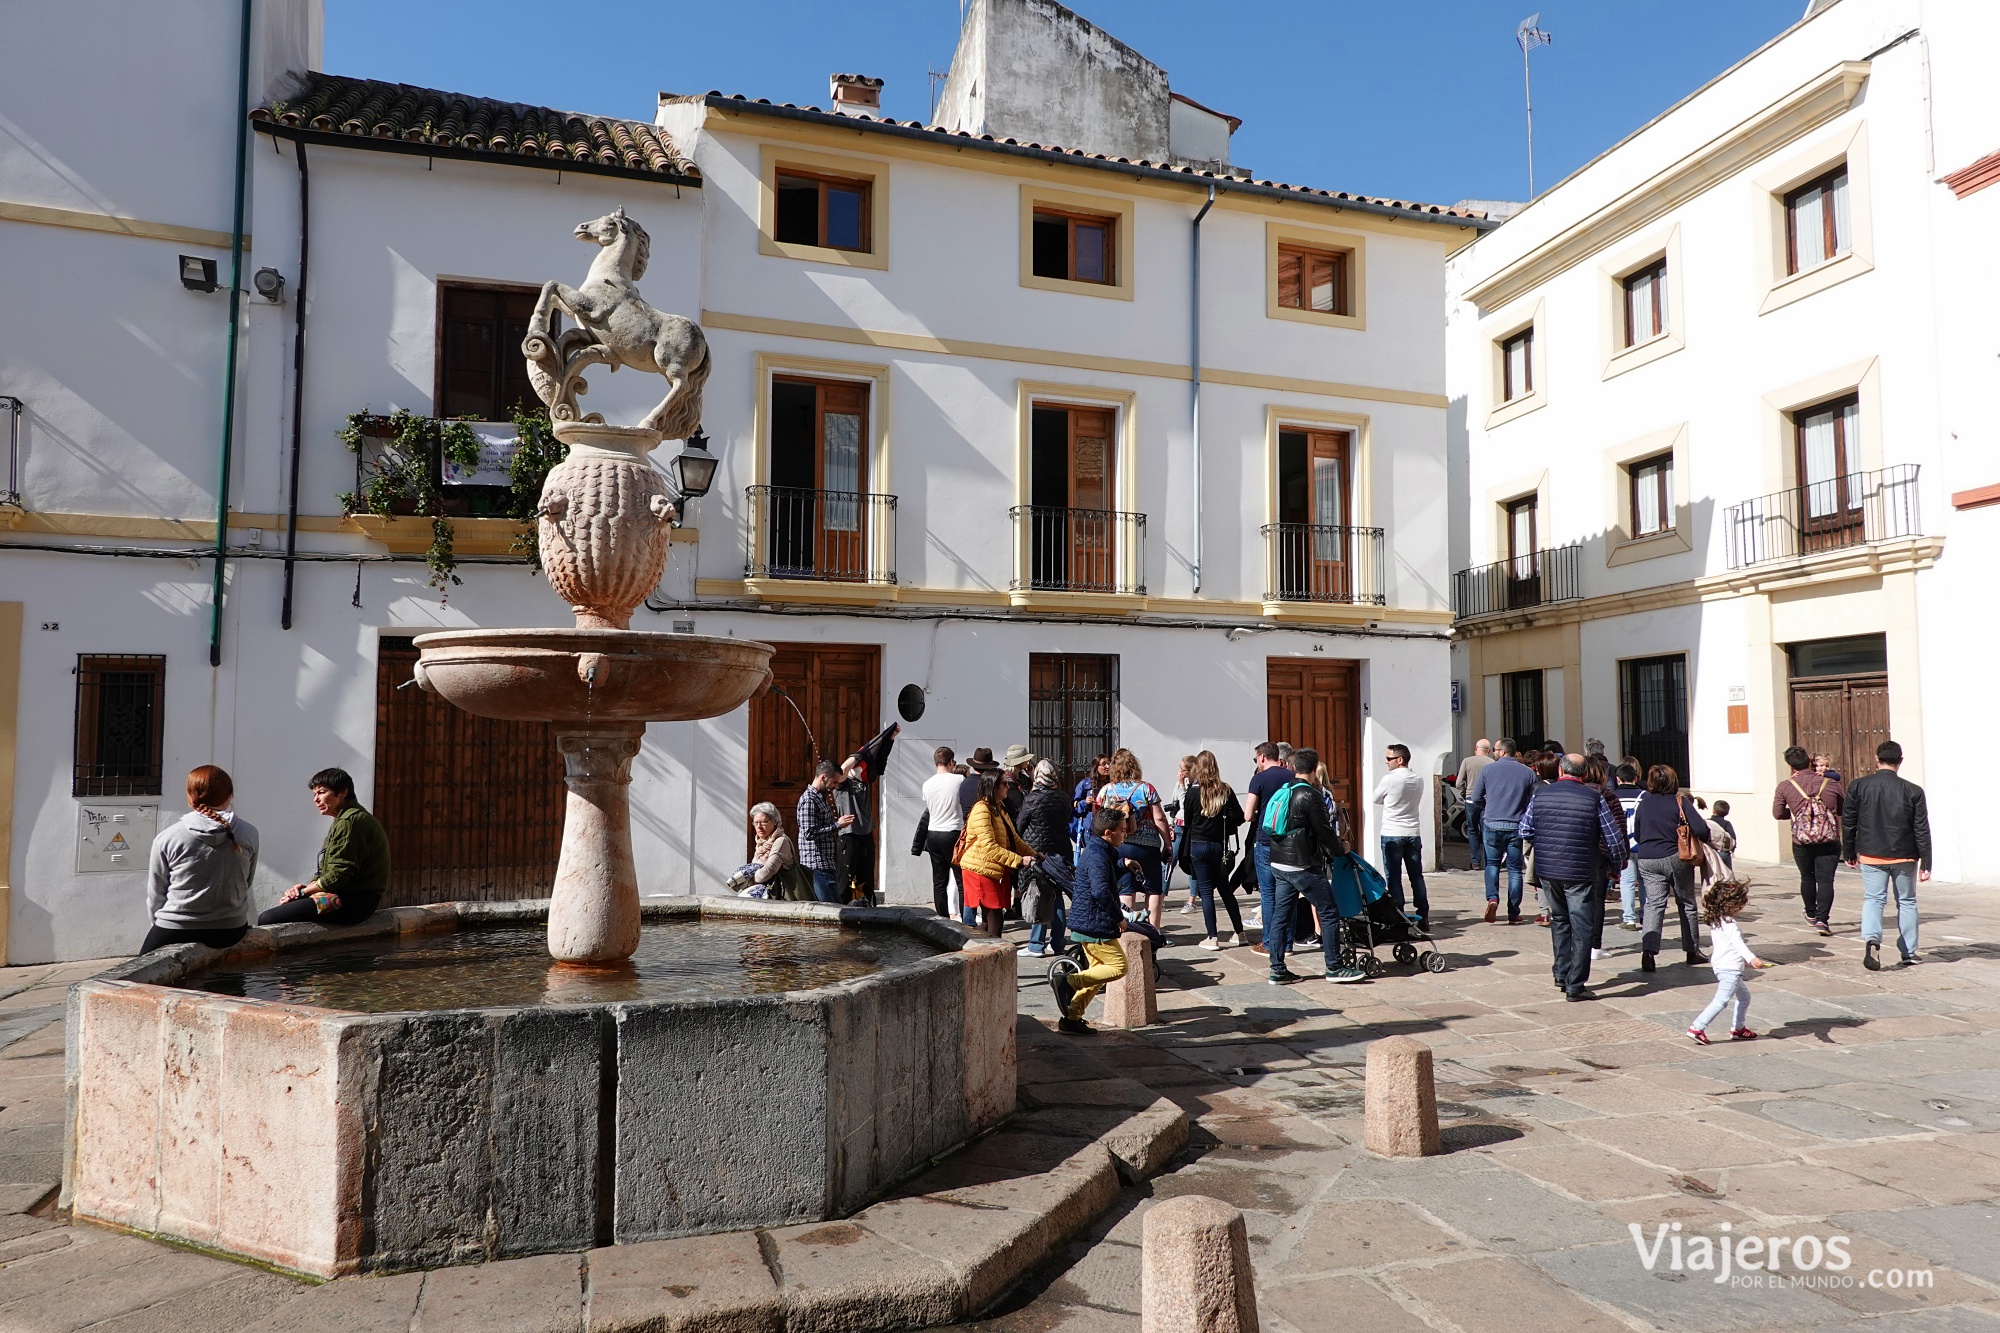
column 829, row 535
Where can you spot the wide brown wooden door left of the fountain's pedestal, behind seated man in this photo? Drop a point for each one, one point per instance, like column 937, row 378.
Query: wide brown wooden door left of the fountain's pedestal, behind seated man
column 473, row 806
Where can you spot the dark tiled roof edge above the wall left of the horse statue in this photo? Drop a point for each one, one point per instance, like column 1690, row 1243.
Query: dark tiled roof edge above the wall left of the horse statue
column 385, row 111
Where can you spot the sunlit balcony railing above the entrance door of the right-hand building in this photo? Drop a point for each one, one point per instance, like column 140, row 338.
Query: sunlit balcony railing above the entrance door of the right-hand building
column 1845, row 511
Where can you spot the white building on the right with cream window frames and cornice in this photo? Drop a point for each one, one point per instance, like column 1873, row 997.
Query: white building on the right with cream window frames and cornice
column 1721, row 427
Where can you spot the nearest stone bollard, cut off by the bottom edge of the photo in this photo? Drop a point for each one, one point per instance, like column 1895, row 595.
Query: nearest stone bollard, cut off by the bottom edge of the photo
column 1195, row 1274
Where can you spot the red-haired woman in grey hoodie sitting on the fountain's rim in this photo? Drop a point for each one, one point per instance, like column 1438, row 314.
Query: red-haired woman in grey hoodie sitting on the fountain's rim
column 201, row 870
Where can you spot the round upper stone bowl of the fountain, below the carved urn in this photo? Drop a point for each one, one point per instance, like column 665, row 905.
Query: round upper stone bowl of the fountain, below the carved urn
column 591, row 676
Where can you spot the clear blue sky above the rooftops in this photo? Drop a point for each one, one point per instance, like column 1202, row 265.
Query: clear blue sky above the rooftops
column 1417, row 99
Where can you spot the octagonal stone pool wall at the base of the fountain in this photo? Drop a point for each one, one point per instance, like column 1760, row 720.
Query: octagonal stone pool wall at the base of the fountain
column 335, row 1142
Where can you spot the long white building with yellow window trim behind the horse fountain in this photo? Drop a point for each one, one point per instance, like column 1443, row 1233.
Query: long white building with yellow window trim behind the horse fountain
column 967, row 445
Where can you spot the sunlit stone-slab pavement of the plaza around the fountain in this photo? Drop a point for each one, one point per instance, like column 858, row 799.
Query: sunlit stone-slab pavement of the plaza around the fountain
column 1871, row 1110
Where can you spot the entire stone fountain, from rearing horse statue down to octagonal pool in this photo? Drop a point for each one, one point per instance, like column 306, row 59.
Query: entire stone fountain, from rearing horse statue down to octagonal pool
column 425, row 1088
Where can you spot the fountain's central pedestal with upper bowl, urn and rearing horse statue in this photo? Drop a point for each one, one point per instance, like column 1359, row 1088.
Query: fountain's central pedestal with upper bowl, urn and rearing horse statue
column 605, row 521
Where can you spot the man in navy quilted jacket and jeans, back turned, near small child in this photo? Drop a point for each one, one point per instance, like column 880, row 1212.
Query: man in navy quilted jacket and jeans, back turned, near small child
column 1571, row 828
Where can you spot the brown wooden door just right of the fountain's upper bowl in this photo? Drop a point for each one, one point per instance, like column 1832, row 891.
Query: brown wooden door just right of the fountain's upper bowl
column 831, row 692
